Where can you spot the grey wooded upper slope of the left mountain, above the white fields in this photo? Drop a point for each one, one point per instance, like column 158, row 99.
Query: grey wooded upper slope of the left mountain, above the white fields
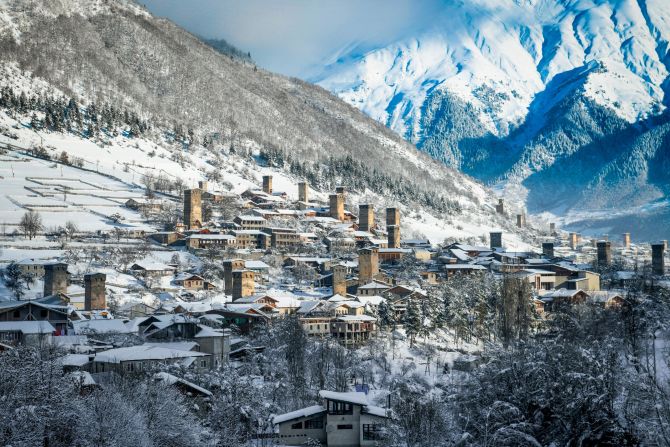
column 208, row 105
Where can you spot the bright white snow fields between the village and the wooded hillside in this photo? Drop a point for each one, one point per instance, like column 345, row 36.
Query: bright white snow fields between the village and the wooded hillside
column 37, row 184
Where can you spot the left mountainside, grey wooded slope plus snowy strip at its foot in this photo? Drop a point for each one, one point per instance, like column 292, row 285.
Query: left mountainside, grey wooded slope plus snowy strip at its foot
column 211, row 115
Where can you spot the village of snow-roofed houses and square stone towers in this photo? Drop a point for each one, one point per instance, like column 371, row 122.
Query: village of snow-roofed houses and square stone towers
column 198, row 290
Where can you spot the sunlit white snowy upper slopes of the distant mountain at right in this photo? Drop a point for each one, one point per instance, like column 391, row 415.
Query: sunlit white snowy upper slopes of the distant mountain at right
column 498, row 55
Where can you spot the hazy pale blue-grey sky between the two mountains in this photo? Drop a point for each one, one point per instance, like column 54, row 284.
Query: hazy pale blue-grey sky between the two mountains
column 297, row 37
